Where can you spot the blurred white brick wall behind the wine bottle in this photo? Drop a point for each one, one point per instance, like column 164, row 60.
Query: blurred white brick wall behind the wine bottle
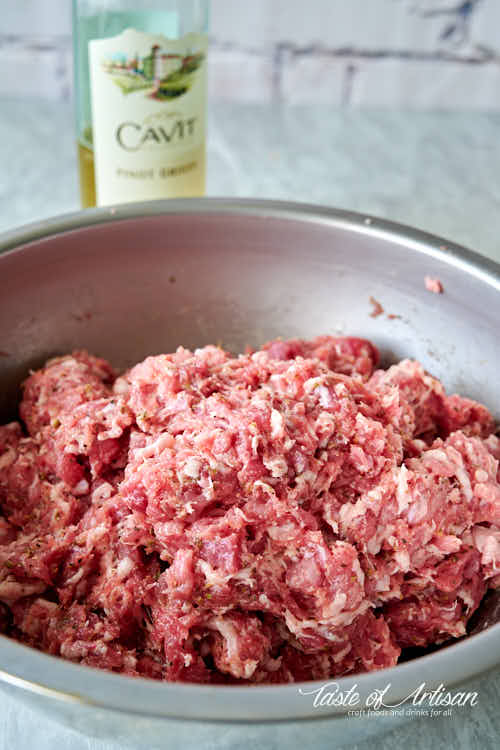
column 421, row 54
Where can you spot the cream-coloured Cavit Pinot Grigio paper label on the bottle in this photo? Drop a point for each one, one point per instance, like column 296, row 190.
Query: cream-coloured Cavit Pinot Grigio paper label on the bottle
column 148, row 97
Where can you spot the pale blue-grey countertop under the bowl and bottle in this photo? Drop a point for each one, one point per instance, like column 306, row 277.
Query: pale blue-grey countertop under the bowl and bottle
column 439, row 172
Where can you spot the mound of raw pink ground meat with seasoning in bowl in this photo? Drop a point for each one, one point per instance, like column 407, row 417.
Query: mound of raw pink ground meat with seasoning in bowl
column 288, row 514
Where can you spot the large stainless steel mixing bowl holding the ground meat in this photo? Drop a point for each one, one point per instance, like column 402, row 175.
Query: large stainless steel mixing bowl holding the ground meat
column 143, row 278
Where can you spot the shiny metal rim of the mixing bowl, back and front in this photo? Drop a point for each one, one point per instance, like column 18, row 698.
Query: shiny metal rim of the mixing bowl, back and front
column 53, row 677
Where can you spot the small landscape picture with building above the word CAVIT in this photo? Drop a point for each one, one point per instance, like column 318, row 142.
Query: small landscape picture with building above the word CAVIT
column 161, row 74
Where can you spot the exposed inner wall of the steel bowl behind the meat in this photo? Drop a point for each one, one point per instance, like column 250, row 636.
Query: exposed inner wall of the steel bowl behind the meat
column 125, row 285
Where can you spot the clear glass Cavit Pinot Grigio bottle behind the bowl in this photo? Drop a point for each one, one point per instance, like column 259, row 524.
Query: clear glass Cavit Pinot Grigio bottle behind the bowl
column 140, row 91
